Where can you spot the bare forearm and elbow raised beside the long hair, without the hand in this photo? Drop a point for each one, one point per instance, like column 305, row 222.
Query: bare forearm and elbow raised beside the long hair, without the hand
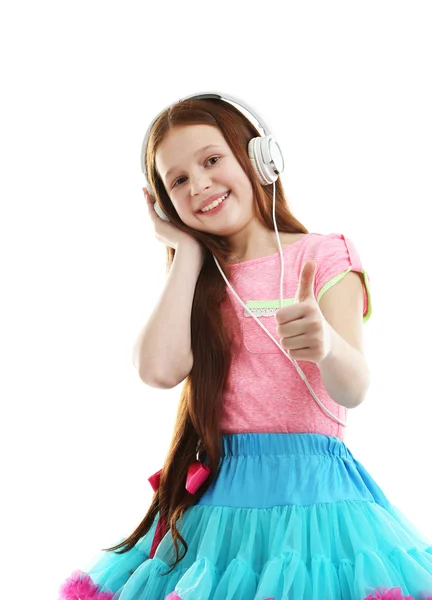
column 162, row 353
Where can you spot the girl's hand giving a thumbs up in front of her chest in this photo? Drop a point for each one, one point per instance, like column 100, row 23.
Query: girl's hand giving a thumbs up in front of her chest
column 303, row 330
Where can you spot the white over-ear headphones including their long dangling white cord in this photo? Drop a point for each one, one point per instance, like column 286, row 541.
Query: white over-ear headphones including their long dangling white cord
column 267, row 161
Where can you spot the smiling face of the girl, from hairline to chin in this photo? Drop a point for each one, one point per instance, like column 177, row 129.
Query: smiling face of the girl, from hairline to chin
column 196, row 164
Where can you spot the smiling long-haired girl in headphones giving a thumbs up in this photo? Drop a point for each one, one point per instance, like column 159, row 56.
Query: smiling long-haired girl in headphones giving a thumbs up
column 259, row 497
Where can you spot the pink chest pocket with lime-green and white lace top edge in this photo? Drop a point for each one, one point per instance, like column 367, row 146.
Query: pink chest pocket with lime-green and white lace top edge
column 254, row 338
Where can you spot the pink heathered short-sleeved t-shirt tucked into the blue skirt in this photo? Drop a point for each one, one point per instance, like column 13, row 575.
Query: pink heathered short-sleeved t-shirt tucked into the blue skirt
column 263, row 391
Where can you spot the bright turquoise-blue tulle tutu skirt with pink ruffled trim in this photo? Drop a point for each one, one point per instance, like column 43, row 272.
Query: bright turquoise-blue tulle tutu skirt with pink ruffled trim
column 289, row 517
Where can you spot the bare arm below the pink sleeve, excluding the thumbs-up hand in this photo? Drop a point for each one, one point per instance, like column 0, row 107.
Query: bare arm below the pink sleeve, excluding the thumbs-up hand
column 345, row 372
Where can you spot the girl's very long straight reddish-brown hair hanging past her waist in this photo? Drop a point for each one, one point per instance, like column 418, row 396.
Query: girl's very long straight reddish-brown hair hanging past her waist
column 200, row 404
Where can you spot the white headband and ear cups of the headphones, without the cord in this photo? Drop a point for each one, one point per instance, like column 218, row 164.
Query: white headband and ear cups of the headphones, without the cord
column 264, row 151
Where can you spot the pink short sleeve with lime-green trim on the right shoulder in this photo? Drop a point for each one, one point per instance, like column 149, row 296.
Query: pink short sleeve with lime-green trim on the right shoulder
column 336, row 256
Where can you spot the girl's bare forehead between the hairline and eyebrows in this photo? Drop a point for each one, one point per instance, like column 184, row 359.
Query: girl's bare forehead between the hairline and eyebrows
column 185, row 143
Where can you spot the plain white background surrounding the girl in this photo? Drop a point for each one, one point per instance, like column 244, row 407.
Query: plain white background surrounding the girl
column 346, row 89
